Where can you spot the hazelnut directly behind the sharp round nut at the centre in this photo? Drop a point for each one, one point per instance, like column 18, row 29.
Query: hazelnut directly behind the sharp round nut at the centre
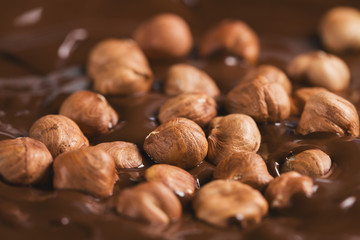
column 199, row 107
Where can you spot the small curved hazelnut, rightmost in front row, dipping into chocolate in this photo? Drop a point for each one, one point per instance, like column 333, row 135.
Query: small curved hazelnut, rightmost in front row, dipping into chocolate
column 280, row 191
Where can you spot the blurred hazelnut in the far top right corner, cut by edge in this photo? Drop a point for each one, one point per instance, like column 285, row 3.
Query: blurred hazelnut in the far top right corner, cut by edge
column 340, row 29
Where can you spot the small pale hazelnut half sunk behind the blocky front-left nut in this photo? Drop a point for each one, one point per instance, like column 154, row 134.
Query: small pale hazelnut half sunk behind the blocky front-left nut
column 125, row 154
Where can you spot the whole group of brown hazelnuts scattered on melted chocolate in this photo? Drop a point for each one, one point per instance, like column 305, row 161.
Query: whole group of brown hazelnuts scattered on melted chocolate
column 242, row 189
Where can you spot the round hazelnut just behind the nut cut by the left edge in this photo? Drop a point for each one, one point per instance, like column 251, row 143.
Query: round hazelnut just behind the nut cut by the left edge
column 58, row 133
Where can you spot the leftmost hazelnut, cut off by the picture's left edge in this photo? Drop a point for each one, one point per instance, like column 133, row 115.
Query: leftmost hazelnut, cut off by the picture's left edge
column 24, row 161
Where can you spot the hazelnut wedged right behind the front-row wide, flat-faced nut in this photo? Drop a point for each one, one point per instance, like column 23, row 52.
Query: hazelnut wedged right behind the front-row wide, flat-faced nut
column 246, row 167
